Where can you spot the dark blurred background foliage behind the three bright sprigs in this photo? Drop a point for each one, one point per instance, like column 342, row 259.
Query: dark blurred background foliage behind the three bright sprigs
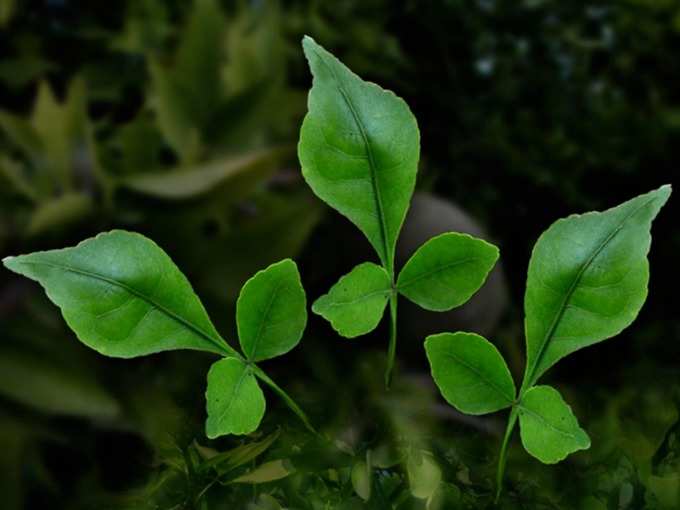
column 179, row 119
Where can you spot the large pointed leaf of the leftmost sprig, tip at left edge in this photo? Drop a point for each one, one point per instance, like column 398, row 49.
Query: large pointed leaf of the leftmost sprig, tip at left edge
column 123, row 296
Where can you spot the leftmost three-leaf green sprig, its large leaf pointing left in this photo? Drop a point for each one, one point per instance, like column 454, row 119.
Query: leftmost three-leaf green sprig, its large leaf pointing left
column 124, row 297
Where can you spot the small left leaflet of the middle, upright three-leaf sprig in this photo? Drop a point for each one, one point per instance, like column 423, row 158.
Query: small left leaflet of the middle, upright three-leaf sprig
column 355, row 305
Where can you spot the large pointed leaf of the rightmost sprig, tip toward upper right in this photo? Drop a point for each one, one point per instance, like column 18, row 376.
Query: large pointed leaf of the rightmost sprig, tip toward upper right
column 587, row 279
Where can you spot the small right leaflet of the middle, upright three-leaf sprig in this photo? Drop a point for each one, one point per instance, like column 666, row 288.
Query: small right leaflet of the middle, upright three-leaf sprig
column 446, row 271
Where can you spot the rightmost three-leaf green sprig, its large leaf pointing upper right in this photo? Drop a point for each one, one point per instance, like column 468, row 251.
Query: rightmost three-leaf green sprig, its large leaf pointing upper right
column 587, row 281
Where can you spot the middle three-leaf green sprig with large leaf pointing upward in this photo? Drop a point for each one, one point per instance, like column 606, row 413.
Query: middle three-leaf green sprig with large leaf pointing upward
column 359, row 149
